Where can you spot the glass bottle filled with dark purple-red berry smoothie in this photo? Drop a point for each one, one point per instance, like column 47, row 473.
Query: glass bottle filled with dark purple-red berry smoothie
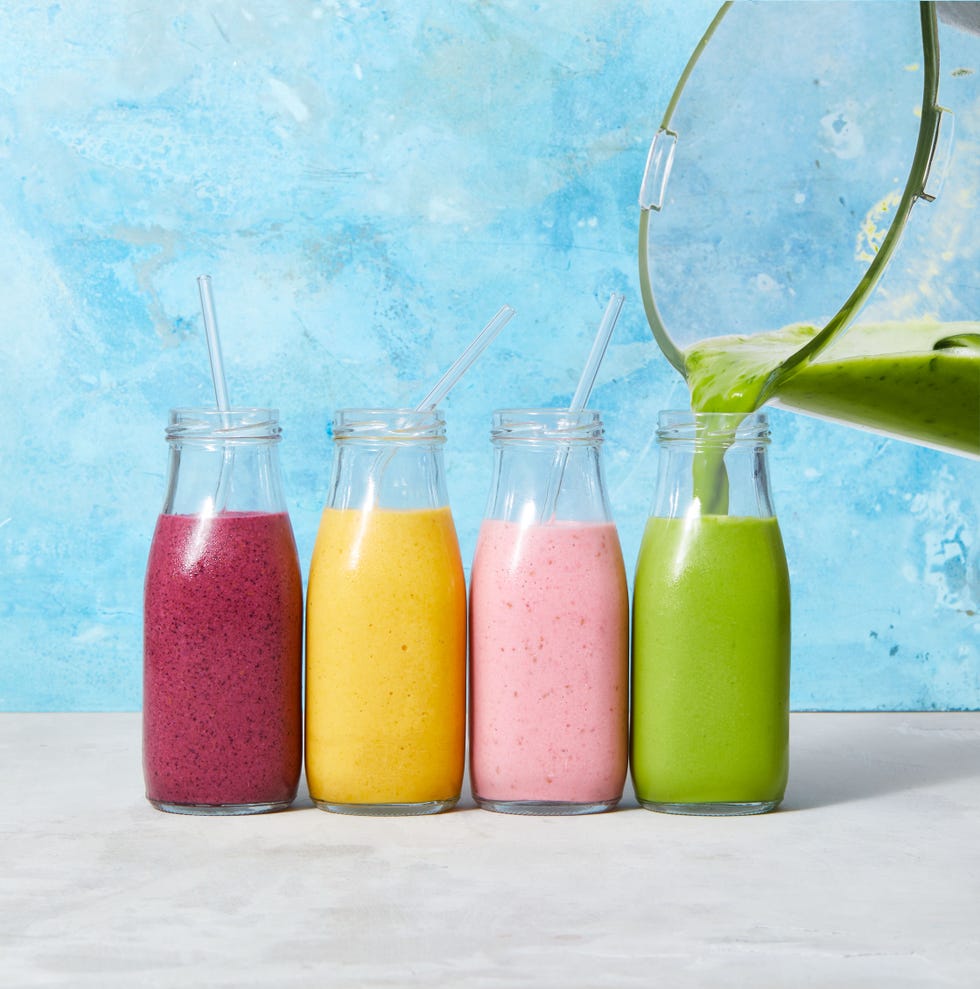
column 223, row 623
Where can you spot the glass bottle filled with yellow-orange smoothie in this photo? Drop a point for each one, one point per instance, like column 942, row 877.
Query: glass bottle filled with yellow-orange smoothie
column 386, row 623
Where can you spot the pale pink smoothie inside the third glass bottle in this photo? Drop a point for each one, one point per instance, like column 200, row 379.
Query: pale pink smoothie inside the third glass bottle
column 549, row 664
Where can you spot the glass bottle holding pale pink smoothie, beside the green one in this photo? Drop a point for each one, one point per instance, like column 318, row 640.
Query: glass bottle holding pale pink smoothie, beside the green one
column 549, row 624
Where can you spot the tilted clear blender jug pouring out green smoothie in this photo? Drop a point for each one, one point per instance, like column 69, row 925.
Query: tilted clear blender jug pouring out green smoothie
column 790, row 163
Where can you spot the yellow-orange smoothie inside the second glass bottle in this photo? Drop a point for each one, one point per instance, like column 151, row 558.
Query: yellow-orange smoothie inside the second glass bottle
column 385, row 658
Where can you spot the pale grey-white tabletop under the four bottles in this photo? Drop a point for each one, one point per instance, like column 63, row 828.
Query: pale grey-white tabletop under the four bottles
column 868, row 876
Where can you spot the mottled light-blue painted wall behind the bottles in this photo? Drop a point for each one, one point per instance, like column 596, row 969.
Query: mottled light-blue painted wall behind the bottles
column 367, row 182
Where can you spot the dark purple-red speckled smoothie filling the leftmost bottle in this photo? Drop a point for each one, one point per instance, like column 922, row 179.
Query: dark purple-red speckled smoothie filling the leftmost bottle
column 223, row 633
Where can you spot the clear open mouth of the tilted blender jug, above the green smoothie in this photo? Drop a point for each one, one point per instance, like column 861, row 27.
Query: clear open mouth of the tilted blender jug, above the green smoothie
column 795, row 144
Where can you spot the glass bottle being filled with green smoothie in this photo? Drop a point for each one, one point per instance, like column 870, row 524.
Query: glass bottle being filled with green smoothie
column 711, row 625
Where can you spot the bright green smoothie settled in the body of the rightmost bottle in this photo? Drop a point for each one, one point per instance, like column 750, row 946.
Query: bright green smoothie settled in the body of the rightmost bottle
column 711, row 645
